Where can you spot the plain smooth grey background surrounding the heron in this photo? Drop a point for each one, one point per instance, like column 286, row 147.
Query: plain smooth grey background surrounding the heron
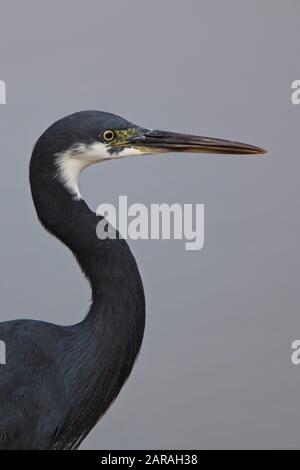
column 215, row 368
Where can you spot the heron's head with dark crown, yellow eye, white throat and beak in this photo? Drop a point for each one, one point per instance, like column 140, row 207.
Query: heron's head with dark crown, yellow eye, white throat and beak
column 87, row 137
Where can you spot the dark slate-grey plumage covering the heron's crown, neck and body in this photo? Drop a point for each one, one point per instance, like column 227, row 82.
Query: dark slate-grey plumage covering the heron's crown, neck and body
column 58, row 381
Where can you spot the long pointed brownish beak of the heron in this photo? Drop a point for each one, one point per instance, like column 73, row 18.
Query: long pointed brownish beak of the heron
column 154, row 141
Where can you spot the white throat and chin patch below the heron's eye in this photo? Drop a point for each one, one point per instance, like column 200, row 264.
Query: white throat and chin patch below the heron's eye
column 71, row 162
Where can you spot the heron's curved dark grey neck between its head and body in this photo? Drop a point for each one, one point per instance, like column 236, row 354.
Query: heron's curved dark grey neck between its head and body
column 117, row 291
